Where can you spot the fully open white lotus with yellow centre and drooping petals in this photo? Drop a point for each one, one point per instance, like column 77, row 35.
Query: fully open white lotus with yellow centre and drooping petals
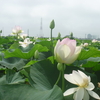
column 85, row 86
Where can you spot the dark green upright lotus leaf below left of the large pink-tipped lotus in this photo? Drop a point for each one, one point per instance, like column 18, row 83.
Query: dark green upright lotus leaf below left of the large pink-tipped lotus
column 44, row 74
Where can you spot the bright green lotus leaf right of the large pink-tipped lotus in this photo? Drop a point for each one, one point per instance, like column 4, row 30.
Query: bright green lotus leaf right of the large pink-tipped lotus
column 85, row 54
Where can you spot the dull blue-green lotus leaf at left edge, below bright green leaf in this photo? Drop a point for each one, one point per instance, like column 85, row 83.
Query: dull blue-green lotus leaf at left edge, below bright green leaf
column 12, row 62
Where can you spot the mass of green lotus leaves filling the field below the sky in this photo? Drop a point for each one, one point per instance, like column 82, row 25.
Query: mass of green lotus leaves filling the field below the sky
column 31, row 73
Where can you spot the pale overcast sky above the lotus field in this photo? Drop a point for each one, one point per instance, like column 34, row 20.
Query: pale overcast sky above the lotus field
column 78, row 16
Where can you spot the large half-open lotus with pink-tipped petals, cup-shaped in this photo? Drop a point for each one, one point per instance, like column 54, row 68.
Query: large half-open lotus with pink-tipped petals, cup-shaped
column 66, row 51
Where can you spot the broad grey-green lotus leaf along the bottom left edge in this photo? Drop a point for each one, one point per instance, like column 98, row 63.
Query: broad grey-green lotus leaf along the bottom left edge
column 26, row 92
